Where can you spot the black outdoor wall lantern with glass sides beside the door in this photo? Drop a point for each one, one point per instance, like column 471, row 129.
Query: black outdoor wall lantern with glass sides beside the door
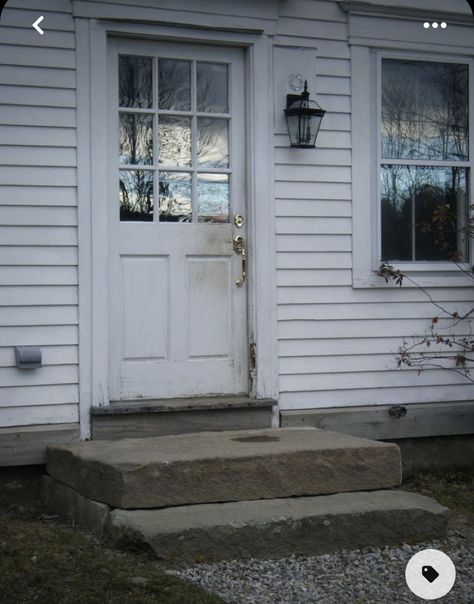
column 303, row 119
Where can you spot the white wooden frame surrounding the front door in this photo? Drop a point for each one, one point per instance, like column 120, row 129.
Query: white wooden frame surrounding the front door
column 92, row 140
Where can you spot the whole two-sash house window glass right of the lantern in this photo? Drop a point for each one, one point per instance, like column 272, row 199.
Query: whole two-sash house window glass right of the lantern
column 424, row 169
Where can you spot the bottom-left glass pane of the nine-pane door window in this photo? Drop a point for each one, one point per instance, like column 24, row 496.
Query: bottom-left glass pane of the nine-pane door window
column 136, row 195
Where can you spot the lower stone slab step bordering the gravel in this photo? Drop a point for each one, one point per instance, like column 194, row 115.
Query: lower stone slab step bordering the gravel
column 270, row 528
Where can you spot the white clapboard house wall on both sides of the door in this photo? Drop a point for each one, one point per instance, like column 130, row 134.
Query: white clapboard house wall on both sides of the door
column 335, row 342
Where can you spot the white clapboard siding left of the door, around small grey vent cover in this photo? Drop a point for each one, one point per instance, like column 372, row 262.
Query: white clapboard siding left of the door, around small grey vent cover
column 38, row 213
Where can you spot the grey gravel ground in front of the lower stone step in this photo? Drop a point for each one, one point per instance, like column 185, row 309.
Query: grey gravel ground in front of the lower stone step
column 368, row 576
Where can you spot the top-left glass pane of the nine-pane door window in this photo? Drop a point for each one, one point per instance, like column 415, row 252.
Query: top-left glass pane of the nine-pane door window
column 135, row 82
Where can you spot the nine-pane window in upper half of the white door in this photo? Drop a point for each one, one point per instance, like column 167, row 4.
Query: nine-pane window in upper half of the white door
column 174, row 123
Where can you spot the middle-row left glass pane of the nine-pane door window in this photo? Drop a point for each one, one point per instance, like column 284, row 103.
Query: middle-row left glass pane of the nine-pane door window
column 136, row 138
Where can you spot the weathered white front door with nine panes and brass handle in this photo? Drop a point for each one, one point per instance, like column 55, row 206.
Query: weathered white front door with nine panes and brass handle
column 177, row 295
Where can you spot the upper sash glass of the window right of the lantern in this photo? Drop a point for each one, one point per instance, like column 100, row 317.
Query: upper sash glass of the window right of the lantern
column 425, row 110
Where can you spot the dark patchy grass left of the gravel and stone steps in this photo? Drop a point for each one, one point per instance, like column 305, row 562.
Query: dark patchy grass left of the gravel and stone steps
column 46, row 562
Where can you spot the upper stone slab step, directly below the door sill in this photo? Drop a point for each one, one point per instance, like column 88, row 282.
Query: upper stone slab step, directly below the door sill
column 223, row 466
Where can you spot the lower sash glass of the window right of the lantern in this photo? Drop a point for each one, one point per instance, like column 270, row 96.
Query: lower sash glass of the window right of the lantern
column 424, row 213
